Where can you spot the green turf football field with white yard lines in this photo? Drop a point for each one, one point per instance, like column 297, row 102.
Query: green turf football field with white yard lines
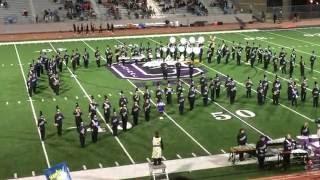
column 204, row 131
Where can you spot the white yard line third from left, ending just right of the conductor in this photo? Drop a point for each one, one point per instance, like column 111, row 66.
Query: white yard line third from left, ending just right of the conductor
column 169, row 117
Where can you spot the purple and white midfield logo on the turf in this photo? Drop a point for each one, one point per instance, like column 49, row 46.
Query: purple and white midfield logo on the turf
column 150, row 71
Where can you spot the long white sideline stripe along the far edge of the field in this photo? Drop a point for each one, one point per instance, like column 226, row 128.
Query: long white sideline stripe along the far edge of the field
column 124, row 37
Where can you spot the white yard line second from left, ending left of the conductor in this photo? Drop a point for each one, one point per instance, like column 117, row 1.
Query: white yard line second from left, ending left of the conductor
column 101, row 116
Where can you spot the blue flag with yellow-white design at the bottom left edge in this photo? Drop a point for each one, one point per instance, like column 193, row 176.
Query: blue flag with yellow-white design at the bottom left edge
column 58, row 172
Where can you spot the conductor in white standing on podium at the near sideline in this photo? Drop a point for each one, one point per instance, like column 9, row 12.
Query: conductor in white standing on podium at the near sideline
column 157, row 145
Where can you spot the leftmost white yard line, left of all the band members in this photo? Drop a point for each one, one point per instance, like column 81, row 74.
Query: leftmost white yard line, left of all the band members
column 33, row 109
